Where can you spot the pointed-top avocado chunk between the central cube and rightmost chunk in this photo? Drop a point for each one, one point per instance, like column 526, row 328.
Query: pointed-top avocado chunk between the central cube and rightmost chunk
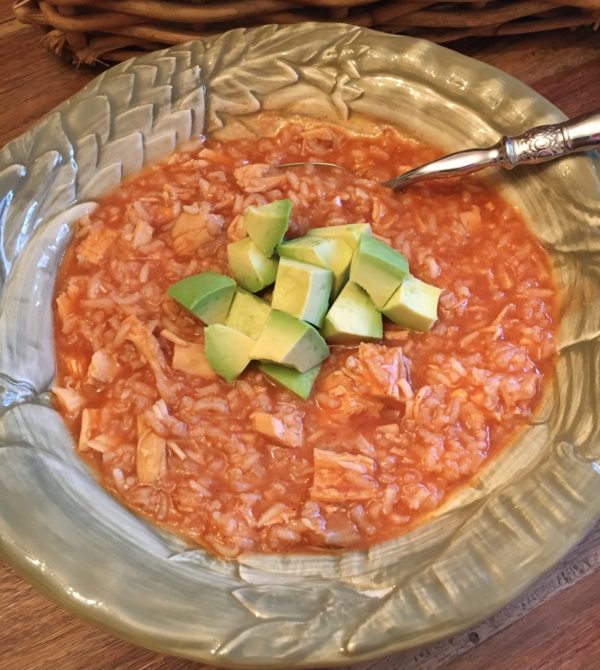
column 352, row 318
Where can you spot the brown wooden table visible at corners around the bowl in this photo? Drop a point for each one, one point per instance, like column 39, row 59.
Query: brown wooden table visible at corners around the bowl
column 552, row 626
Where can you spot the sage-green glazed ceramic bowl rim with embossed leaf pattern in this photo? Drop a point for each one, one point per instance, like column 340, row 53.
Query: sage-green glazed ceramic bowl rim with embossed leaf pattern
column 528, row 506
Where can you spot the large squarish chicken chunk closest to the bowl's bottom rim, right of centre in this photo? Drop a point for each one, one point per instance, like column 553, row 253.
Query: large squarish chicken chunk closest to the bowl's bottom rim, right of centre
column 341, row 476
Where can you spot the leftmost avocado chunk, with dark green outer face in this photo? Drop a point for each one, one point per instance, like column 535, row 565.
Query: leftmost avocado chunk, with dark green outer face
column 207, row 295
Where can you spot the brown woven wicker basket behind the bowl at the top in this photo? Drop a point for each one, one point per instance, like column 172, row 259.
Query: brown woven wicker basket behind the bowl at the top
column 113, row 30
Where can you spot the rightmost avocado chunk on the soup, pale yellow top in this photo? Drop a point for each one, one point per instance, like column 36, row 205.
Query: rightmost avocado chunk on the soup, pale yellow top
column 414, row 304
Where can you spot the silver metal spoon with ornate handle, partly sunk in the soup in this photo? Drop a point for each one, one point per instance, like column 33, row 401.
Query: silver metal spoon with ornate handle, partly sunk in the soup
column 537, row 145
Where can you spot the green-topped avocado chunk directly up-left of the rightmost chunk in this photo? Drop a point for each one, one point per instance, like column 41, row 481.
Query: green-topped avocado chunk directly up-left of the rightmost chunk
column 378, row 268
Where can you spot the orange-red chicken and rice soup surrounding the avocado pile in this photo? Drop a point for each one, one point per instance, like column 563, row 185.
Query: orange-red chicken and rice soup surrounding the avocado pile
column 391, row 428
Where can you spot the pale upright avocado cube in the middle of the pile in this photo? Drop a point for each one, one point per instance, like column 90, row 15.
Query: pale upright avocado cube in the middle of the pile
column 302, row 290
